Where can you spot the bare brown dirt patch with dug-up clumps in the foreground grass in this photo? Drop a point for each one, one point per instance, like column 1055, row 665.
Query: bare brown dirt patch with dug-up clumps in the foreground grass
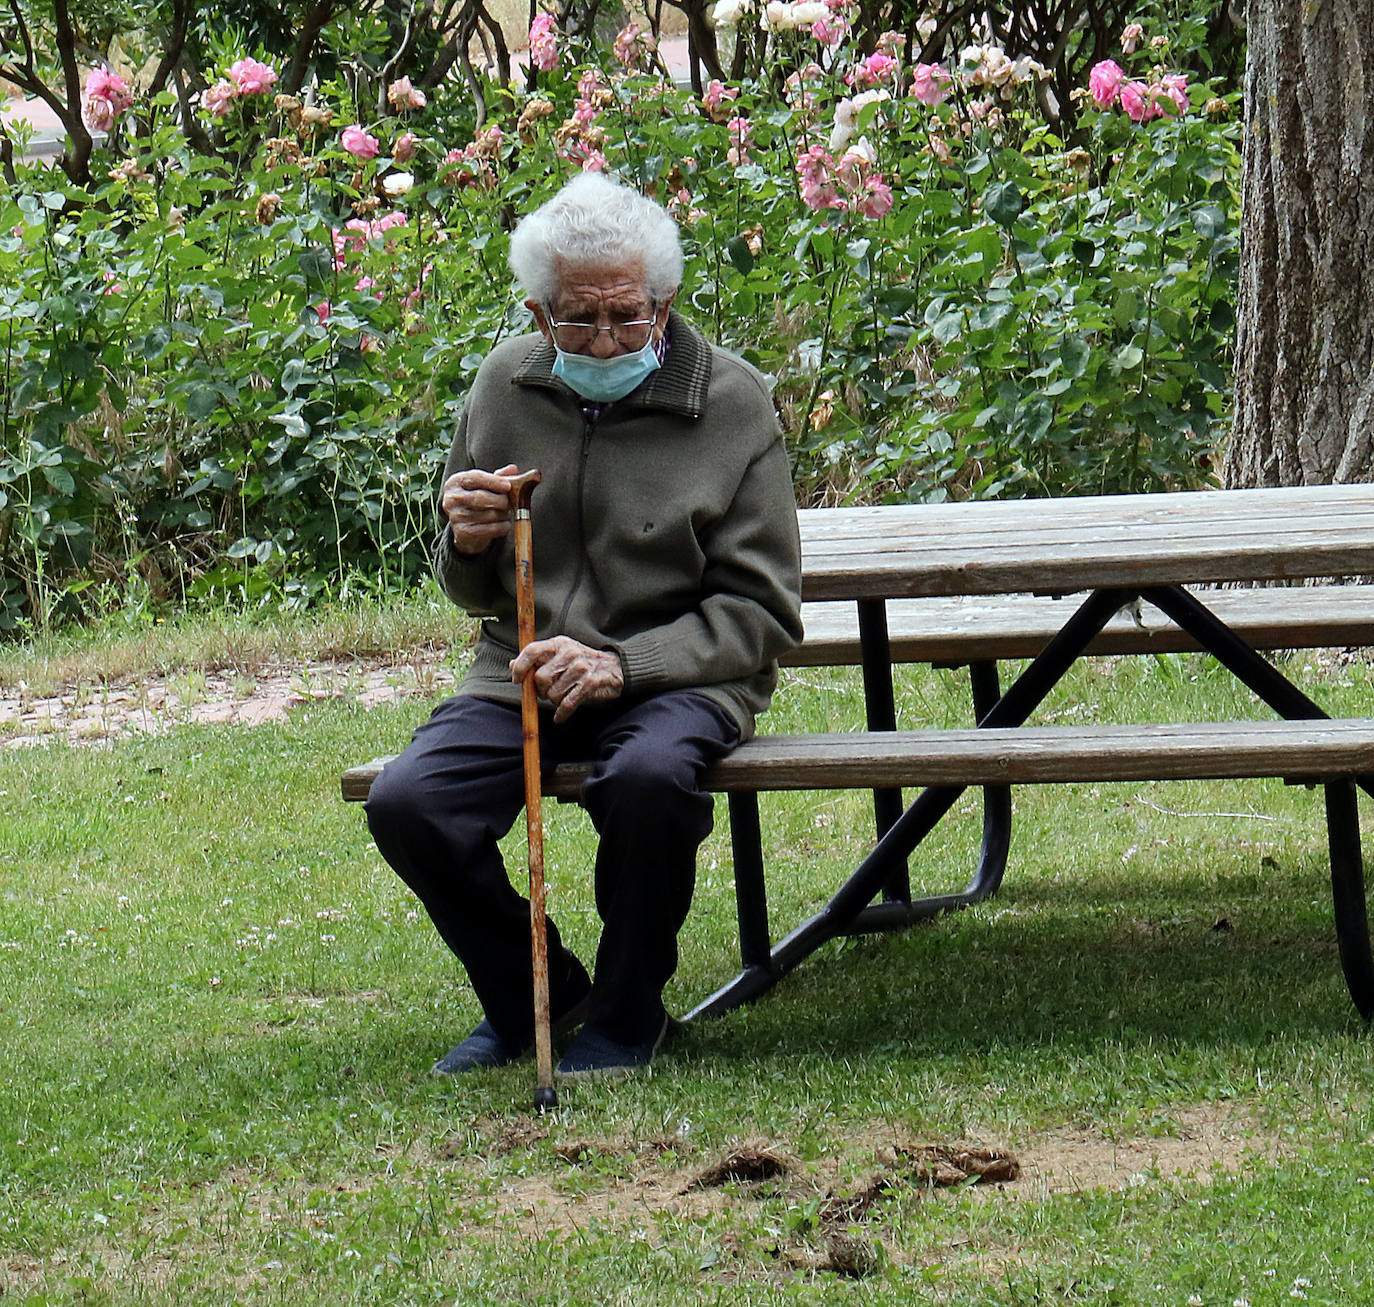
column 766, row 1214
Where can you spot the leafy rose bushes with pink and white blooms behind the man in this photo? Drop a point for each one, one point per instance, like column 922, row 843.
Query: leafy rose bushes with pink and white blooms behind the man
column 241, row 379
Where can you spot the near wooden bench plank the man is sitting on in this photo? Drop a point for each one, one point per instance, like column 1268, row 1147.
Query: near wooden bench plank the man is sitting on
column 1204, row 751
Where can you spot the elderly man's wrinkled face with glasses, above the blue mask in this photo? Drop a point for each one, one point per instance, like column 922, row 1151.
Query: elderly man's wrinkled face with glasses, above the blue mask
column 597, row 298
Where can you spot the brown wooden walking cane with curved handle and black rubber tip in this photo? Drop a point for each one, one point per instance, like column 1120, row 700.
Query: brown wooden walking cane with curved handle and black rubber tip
column 523, row 490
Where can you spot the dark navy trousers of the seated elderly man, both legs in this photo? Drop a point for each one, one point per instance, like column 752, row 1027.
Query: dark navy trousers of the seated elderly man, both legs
column 438, row 810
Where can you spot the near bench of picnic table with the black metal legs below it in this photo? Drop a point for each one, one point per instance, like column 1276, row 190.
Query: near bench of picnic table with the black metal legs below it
column 1338, row 754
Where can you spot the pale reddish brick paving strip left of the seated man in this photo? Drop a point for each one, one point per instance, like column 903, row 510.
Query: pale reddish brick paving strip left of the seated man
column 157, row 704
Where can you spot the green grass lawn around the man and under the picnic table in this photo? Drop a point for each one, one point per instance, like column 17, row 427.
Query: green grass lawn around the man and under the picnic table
column 219, row 1009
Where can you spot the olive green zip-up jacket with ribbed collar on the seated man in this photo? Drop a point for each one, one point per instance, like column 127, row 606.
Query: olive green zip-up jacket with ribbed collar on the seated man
column 664, row 528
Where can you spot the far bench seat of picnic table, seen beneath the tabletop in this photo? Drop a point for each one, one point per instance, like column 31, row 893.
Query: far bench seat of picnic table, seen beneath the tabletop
column 991, row 627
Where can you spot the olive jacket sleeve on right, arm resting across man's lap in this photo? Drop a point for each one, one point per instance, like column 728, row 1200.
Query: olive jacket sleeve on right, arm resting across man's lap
column 751, row 608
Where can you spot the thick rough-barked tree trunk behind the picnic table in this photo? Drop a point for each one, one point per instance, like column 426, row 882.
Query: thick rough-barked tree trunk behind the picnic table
column 1305, row 377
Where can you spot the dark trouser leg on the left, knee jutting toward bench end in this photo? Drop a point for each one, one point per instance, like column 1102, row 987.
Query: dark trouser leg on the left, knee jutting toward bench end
column 436, row 814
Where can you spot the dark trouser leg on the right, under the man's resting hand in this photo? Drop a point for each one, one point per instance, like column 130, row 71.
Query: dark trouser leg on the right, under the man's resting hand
column 646, row 803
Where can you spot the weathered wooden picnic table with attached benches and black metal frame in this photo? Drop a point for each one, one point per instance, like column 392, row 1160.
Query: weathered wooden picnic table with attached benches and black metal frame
column 1052, row 581
